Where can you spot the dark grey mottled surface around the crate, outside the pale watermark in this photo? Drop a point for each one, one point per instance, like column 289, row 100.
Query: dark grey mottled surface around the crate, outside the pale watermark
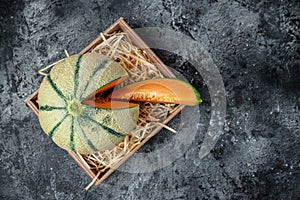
column 254, row 43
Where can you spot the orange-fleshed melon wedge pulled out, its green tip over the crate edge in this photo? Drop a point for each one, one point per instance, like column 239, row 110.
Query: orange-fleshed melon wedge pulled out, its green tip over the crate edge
column 163, row 90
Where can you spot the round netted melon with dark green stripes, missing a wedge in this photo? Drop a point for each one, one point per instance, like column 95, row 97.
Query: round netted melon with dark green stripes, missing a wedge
column 79, row 127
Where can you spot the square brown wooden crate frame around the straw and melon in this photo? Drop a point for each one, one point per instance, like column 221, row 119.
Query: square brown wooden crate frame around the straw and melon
column 119, row 25
